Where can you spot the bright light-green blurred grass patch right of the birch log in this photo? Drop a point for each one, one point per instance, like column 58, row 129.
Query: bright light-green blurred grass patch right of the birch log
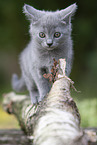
column 88, row 112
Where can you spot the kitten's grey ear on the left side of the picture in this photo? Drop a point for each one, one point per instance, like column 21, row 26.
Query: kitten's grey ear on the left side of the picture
column 32, row 14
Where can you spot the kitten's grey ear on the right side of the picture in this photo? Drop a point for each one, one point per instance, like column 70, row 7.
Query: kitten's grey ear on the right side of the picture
column 67, row 13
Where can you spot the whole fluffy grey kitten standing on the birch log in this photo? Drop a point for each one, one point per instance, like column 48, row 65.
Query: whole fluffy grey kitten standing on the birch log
column 50, row 38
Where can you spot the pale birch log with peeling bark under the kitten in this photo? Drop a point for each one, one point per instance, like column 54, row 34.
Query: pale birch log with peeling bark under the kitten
column 55, row 120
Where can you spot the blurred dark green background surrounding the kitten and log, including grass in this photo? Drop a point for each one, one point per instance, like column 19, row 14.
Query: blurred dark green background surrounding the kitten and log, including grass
column 14, row 37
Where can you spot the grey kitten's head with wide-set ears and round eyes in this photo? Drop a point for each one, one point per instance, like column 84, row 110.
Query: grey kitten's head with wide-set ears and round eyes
column 50, row 29
